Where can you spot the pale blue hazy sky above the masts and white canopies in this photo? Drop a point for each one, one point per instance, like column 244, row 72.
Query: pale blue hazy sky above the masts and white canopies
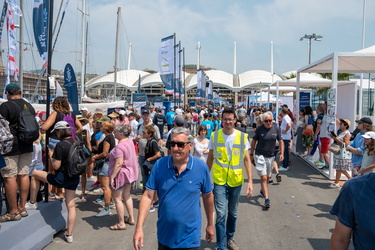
column 216, row 24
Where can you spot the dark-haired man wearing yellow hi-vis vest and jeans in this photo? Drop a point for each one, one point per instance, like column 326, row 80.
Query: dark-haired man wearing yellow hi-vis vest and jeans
column 229, row 151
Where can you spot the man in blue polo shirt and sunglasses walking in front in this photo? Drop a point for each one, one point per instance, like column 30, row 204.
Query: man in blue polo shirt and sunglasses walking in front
column 178, row 180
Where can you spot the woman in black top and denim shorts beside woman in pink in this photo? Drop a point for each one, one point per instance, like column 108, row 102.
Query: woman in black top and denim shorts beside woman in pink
column 104, row 148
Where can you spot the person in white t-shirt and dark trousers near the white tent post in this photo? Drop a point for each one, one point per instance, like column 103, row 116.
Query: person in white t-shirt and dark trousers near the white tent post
column 286, row 135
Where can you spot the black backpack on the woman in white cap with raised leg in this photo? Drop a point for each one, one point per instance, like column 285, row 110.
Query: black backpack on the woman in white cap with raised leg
column 77, row 159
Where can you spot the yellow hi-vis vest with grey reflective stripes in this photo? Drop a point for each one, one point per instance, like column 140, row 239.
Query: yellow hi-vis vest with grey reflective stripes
column 227, row 170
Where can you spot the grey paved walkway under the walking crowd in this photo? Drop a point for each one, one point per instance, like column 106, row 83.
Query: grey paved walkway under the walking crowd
column 298, row 218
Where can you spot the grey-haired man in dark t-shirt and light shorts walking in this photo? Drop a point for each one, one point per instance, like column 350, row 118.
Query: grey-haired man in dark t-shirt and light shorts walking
column 263, row 143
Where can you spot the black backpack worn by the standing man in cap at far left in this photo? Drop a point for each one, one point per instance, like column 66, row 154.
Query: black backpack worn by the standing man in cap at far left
column 27, row 128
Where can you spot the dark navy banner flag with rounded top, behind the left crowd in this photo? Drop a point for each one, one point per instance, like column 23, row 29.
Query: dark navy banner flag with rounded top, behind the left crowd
column 70, row 84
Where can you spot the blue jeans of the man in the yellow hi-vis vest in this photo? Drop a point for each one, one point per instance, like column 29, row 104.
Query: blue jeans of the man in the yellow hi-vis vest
column 223, row 195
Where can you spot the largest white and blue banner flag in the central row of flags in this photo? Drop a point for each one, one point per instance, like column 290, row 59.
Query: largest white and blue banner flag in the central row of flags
column 166, row 63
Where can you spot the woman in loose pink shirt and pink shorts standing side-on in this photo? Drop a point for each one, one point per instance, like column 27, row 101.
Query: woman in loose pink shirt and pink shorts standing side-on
column 123, row 171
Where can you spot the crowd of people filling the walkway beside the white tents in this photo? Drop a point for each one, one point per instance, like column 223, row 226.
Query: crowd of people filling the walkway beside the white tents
column 198, row 140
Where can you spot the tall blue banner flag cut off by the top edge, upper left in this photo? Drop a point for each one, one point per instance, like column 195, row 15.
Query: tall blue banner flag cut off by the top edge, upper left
column 40, row 26
